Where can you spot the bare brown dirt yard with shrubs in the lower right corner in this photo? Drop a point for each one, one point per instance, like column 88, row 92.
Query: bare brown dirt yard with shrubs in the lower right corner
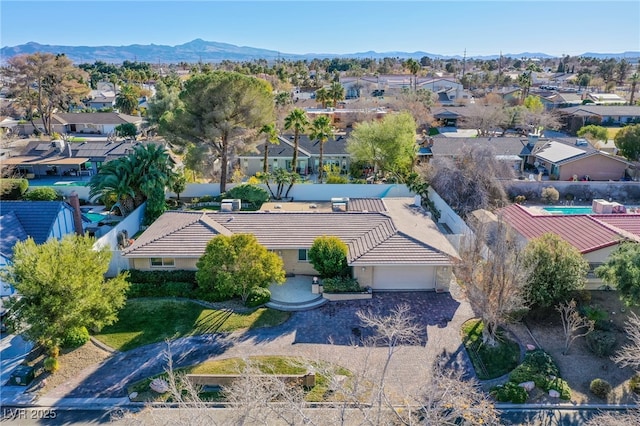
column 581, row 366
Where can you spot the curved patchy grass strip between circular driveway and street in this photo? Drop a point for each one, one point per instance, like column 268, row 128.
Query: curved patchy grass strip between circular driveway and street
column 265, row 364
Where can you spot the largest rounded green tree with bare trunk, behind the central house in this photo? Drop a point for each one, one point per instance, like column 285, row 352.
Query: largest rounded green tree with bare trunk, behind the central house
column 220, row 109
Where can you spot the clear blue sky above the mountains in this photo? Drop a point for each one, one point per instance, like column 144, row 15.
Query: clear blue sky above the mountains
column 481, row 27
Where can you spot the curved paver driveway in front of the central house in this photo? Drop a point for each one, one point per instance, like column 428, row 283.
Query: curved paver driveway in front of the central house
column 332, row 333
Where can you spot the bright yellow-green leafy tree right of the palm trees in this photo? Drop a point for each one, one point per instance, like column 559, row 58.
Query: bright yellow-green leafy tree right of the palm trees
column 388, row 145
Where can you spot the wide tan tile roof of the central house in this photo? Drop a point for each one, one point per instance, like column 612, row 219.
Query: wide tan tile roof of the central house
column 186, row 234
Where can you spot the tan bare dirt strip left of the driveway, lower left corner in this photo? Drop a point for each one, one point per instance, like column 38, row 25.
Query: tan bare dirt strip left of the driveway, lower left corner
column 72, row 362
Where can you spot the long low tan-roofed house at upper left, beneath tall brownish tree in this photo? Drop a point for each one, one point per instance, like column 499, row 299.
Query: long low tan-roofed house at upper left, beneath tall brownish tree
column 100, row 123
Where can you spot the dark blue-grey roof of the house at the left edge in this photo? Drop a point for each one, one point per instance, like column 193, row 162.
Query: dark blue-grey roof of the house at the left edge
column 36, row 217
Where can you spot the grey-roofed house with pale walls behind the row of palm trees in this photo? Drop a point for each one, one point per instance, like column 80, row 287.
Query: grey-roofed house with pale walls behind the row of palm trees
column 280, row 156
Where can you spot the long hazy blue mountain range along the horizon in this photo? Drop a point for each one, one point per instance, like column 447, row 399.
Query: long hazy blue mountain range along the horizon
column 209, row 51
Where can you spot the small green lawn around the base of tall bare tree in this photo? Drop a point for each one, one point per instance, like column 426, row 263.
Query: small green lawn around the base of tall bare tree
column 489, row 362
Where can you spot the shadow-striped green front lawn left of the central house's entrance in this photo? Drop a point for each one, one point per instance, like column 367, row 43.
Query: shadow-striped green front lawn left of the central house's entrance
column 144, row 321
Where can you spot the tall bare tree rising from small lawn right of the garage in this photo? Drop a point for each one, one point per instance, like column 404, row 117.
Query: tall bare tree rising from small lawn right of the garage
column 491, row 273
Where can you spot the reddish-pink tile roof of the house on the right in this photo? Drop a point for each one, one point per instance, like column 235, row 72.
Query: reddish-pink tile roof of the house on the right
column 584, row 232
